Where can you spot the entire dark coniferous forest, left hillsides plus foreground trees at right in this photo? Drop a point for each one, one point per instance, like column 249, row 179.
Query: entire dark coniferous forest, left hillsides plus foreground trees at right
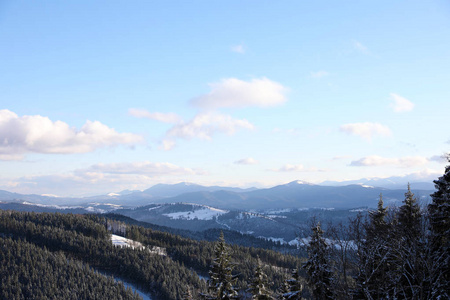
column 392, row 253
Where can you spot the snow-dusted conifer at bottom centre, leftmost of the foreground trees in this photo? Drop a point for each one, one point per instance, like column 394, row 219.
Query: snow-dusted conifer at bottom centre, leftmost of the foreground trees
column 220, row 284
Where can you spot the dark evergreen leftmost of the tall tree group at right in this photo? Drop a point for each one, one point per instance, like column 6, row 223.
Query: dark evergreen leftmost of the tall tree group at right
column 319, row 275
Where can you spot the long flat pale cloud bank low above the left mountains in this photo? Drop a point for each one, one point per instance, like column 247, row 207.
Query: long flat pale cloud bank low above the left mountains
column 101, row 179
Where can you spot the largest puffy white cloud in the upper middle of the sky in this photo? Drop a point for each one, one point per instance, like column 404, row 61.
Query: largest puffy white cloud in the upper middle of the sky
column 232, row 92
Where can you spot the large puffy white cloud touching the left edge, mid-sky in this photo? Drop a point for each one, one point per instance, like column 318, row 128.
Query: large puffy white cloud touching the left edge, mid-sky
column 38, row 134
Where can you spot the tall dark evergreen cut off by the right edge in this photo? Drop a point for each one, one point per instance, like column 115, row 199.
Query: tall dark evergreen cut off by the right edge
column 439, row 240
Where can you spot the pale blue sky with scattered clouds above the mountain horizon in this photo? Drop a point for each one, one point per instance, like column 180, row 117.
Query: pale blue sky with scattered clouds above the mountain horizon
column 103, row 96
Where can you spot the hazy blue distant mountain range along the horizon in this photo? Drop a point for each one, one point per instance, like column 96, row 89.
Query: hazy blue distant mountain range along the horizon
column 296, row 194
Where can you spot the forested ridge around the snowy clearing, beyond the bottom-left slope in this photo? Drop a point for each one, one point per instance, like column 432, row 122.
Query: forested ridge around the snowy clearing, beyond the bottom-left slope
column 84, row 238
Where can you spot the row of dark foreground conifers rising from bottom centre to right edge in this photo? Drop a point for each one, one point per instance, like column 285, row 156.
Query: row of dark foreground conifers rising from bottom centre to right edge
column 394, row 253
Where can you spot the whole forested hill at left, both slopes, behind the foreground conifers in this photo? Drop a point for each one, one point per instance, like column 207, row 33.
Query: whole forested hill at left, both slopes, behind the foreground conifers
column 41, row 242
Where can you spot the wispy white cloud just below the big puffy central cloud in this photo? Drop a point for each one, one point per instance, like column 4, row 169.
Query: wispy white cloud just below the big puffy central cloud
column 205, row 125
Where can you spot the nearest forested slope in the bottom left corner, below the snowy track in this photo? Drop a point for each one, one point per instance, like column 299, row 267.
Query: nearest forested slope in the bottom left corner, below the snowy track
column 30, row 272
